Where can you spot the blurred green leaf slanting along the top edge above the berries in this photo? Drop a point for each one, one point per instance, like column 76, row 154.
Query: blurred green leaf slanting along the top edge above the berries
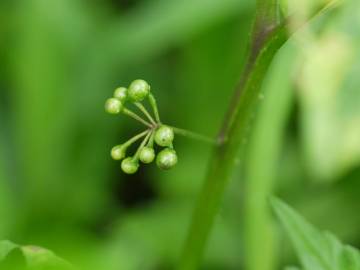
column 161, row 23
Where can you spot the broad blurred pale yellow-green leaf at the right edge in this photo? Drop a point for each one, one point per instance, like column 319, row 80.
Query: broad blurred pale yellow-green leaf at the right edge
column 329, row 95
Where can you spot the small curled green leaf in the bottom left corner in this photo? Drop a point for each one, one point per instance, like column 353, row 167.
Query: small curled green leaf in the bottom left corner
column 35, row 257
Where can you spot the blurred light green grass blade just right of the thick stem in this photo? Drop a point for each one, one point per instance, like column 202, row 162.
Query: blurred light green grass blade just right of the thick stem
column 263, row 156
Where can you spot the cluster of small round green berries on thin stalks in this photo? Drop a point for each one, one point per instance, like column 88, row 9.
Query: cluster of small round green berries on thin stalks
column 157, row 133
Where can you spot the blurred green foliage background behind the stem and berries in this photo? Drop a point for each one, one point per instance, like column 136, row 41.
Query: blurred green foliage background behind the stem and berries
column 60, row 189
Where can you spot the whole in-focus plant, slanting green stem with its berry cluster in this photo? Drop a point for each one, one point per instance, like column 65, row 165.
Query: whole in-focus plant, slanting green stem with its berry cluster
column 270, row 31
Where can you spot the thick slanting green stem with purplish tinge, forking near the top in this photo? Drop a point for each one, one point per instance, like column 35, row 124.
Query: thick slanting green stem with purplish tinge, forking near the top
column 264, row 42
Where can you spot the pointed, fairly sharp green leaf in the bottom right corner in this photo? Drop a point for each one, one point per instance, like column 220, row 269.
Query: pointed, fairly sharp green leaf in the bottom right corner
column 317, row 250
